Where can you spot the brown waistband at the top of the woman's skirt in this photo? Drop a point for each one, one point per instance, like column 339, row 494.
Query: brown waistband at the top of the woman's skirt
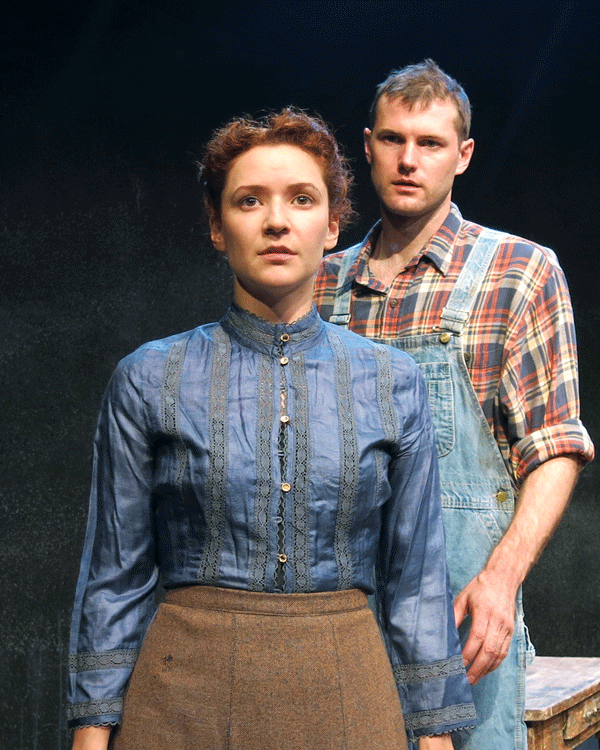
column 254, row 602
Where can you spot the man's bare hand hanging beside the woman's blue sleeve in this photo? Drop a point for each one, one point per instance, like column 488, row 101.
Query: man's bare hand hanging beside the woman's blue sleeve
column 491, row 605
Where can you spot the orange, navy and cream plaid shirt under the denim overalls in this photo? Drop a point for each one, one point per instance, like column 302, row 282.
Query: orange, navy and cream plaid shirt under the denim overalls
column 519, row 342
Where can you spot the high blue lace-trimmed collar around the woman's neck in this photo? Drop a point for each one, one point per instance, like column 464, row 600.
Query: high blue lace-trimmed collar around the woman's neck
column 267, row 337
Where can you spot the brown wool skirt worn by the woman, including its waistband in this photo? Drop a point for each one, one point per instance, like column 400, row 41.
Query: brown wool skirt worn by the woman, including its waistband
column 223, row 669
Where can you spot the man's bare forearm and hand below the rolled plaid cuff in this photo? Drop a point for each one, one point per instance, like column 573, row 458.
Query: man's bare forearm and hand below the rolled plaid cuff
column 490, row 597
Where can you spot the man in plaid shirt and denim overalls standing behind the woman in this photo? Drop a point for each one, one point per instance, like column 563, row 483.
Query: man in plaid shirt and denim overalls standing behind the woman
column 488, row 318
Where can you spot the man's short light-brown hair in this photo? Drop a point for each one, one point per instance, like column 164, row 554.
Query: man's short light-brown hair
column 424, row 83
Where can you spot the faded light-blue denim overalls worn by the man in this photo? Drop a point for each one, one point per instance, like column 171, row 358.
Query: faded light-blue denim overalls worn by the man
column 477, row 494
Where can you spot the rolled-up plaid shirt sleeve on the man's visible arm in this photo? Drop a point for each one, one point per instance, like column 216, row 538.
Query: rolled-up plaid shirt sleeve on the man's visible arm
column 539, row 382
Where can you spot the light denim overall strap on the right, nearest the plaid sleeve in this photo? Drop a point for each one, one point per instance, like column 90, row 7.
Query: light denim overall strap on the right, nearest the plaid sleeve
column 461, row 301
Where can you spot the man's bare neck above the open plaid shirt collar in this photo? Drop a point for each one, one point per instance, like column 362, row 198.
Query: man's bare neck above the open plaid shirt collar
column 402, row 238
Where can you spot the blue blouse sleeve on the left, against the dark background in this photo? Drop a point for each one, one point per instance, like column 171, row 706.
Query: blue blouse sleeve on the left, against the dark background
column 114, row 600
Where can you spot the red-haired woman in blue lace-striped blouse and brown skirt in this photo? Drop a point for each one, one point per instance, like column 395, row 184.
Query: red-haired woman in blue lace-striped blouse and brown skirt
column 273, row 469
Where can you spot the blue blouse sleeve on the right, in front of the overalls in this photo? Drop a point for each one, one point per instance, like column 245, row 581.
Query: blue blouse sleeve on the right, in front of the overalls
column 413, row 598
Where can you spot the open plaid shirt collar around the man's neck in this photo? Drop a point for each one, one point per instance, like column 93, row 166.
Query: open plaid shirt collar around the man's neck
column 438, row 249
